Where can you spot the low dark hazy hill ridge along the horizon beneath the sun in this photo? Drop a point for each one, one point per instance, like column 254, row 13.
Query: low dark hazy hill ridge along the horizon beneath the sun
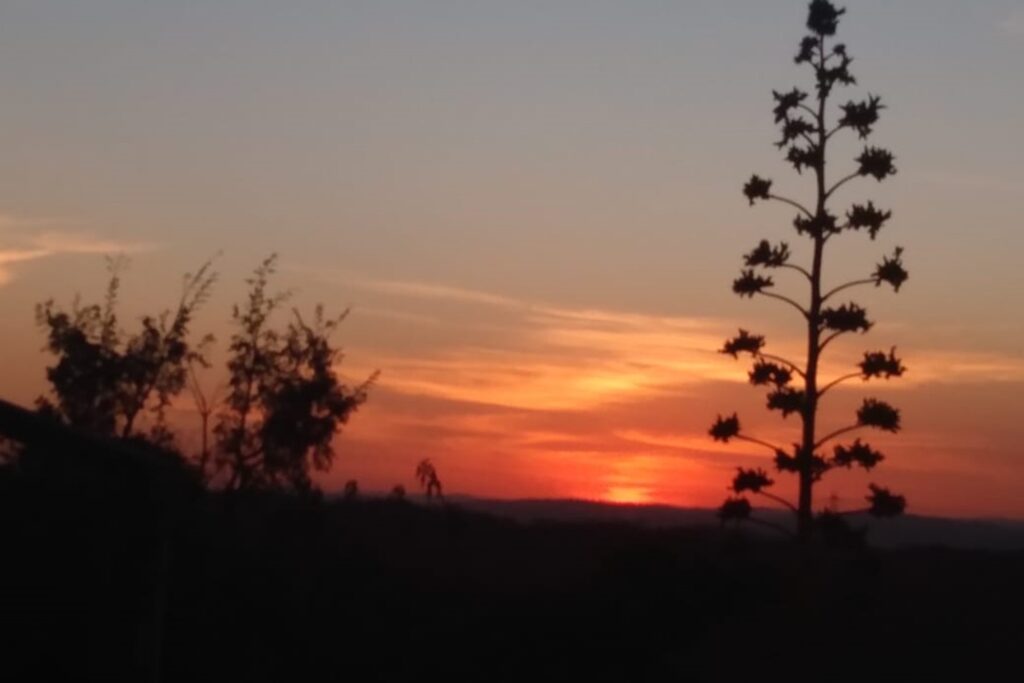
column 905, row 532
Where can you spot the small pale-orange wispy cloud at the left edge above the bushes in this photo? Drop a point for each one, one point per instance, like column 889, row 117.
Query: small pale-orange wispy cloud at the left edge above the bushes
column 16, row 247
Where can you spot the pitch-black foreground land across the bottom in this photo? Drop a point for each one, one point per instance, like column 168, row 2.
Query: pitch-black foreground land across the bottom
column 110, row 573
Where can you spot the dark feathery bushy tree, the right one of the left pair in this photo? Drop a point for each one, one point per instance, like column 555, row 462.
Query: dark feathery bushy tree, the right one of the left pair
column 285, row 403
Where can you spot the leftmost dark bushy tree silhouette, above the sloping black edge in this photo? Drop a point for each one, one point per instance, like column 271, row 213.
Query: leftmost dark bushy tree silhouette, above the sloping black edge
column 105, row 378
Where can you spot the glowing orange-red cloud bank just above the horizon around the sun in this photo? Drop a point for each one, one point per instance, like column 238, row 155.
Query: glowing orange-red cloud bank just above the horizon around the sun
column 516, row 399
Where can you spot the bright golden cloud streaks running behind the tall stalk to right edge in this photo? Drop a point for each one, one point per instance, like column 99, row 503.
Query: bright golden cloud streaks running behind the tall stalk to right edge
column 540, row 357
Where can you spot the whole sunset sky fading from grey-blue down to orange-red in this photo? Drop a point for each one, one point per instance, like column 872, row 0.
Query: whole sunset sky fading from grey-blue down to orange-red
column 534, row 212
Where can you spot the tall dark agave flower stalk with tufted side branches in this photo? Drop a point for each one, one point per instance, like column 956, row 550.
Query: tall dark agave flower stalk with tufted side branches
column 806, row 130
